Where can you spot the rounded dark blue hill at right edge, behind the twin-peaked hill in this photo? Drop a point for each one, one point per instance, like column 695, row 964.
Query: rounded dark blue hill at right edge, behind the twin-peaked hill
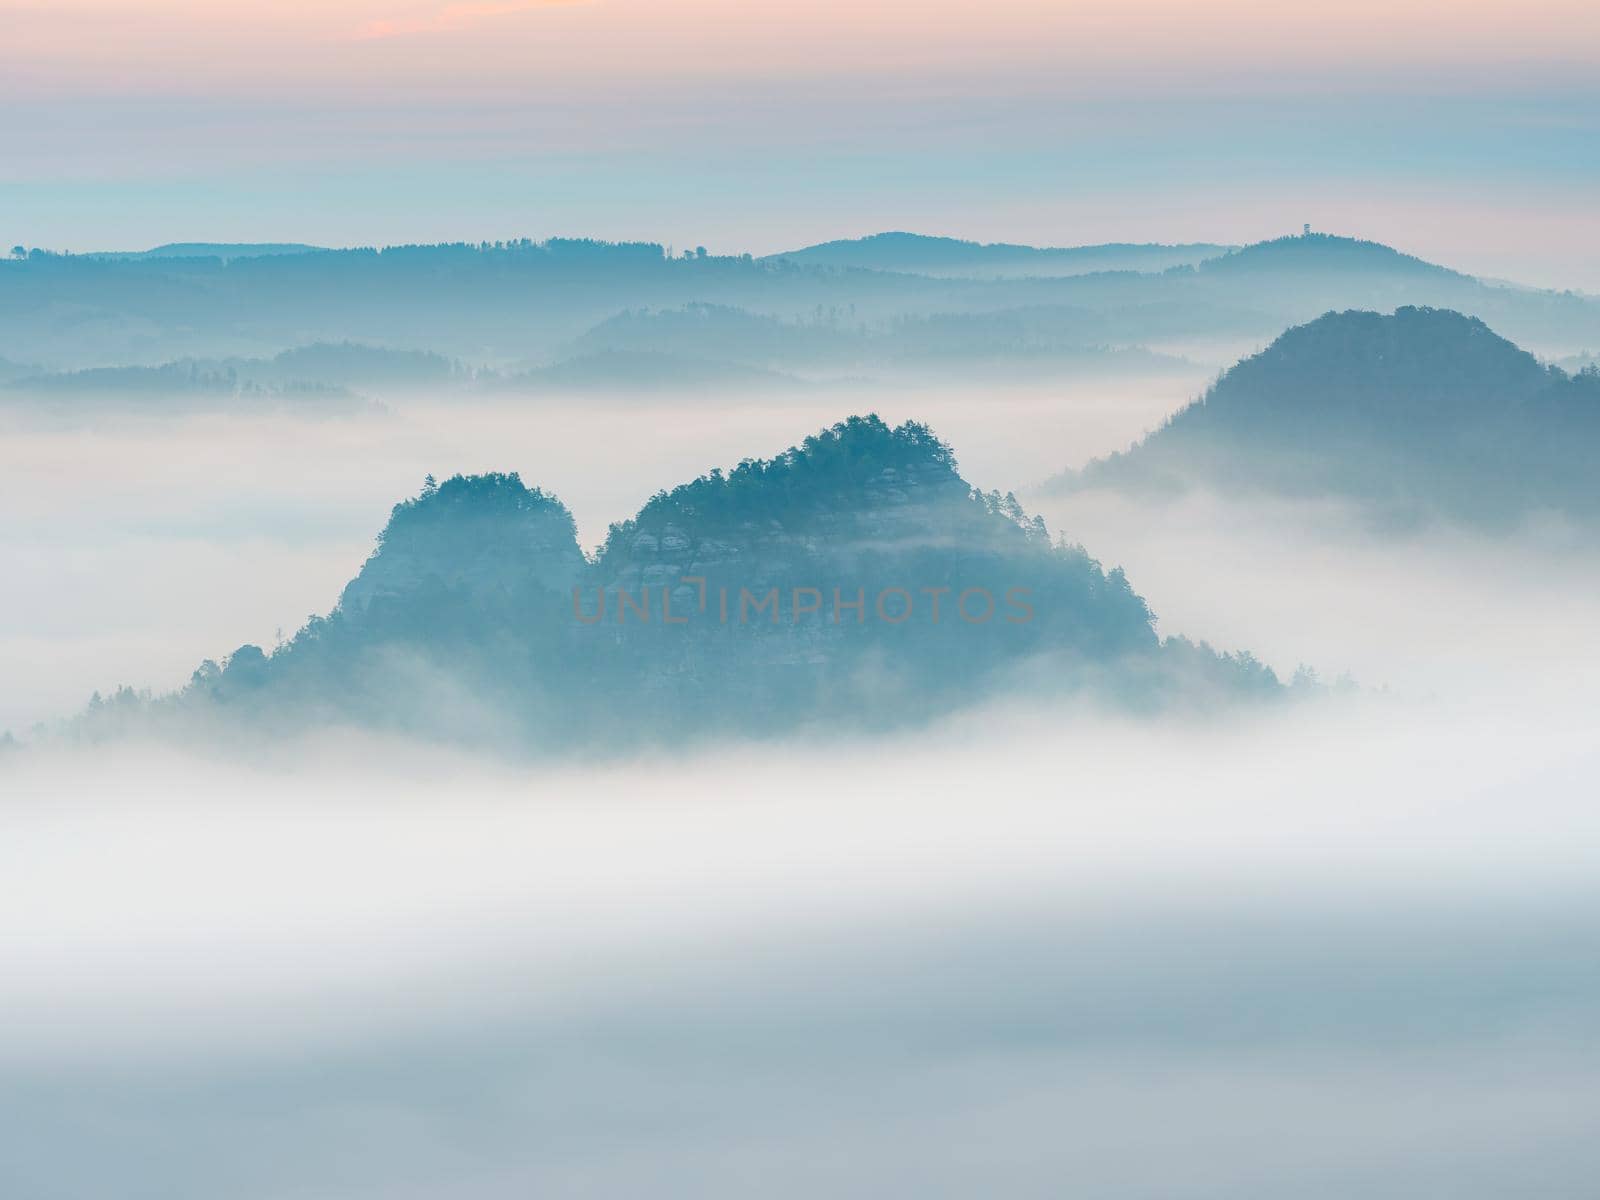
column 1425, row 410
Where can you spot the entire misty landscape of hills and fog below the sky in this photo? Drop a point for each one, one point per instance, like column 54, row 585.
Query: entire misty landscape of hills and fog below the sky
column 894, row 718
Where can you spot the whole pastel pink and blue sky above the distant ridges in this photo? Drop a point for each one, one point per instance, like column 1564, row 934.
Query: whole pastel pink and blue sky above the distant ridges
column 1462, row 132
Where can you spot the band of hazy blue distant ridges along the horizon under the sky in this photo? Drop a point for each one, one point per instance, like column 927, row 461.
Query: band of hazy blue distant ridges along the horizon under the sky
column 510, row 305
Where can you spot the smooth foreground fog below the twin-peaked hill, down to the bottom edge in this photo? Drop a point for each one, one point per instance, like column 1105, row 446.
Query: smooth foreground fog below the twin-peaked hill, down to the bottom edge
column 1316, row 951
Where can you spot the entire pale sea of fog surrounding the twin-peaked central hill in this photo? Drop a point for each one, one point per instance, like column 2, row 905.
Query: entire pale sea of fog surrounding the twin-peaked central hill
column 1343, row 948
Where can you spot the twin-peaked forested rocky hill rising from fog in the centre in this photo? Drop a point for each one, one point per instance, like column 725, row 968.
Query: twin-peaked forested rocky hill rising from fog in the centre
column 850, row 583
